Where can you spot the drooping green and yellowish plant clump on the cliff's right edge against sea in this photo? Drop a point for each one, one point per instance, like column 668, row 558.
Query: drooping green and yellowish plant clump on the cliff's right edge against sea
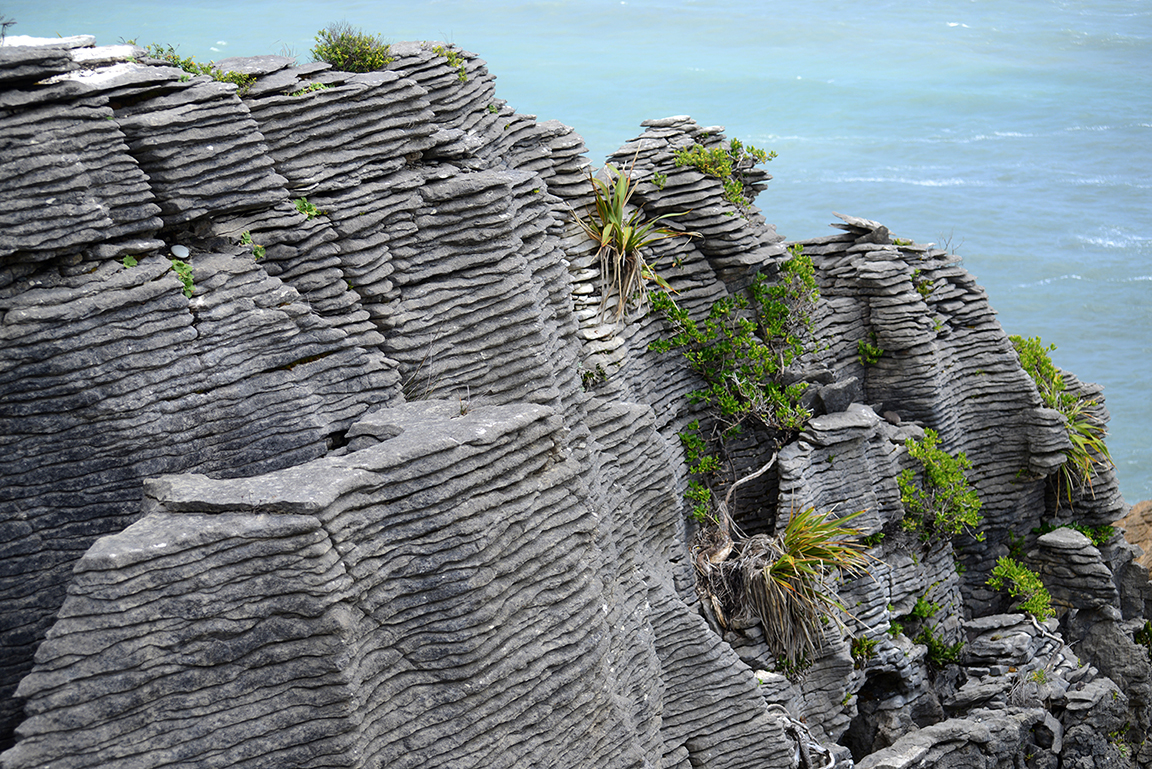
column 1085, row 430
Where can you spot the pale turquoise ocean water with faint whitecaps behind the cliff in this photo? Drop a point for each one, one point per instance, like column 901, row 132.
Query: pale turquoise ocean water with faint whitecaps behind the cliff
column 1019, row 132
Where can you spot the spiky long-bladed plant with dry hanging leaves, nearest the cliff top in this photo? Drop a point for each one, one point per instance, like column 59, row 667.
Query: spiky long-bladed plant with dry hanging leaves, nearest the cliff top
column 622, row 232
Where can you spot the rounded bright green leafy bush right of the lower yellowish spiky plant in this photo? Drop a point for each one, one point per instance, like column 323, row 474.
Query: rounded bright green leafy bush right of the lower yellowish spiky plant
column 945, row 505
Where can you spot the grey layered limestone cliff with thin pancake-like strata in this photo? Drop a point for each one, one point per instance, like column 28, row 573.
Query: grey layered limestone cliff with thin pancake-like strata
column 382, row 485
